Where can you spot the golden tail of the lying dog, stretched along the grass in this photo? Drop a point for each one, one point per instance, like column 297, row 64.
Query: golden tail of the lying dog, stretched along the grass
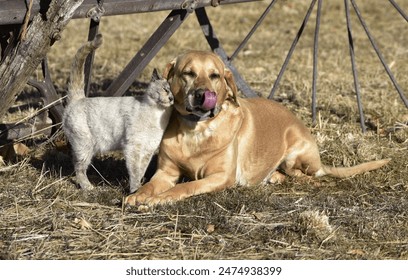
column 343, row 172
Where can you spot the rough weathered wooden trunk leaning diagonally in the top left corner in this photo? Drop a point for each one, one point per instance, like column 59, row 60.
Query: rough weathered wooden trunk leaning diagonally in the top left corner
column 24, row 58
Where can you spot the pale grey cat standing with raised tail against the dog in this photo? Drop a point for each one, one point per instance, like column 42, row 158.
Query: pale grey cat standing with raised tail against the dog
column 134, row 125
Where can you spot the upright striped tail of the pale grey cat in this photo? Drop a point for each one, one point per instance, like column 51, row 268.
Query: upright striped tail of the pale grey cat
column 76, row 79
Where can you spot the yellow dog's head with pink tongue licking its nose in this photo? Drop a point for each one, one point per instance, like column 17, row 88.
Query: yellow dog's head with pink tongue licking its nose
column 200, row 84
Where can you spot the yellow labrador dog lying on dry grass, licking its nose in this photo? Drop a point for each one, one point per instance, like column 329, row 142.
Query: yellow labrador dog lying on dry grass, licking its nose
column 218, row 139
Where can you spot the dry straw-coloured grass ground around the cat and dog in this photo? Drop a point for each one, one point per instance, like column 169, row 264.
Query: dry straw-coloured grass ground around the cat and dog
column 45, row 216
